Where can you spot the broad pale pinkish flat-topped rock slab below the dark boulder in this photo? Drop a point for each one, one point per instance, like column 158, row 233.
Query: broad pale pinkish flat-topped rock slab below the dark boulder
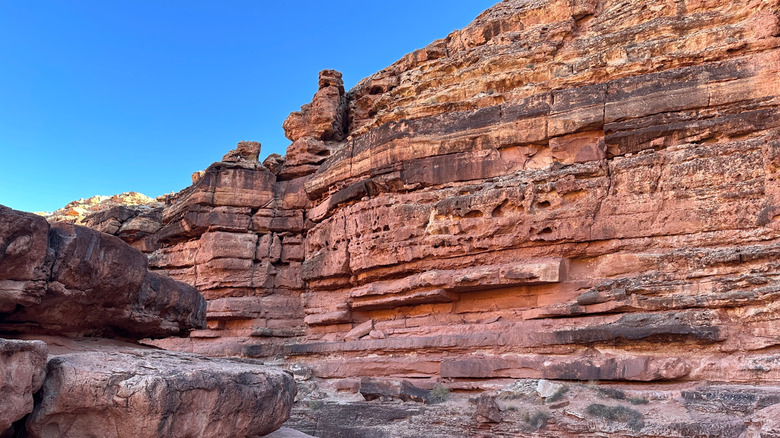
column 150, row 393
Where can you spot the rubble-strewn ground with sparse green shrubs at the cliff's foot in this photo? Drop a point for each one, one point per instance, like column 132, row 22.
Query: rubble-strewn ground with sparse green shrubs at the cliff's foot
column 513, row 408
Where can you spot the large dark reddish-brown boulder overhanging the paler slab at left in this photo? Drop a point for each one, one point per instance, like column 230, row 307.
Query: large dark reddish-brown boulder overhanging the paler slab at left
column 69, row 279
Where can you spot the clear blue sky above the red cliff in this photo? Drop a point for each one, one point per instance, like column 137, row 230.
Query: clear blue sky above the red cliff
column 104, row 97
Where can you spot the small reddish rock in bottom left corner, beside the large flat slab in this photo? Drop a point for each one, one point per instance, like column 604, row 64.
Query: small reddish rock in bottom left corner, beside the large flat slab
column 22, row 365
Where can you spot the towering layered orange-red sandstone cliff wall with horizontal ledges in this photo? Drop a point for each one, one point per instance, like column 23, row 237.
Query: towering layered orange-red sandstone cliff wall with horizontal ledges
column 573, row 190
